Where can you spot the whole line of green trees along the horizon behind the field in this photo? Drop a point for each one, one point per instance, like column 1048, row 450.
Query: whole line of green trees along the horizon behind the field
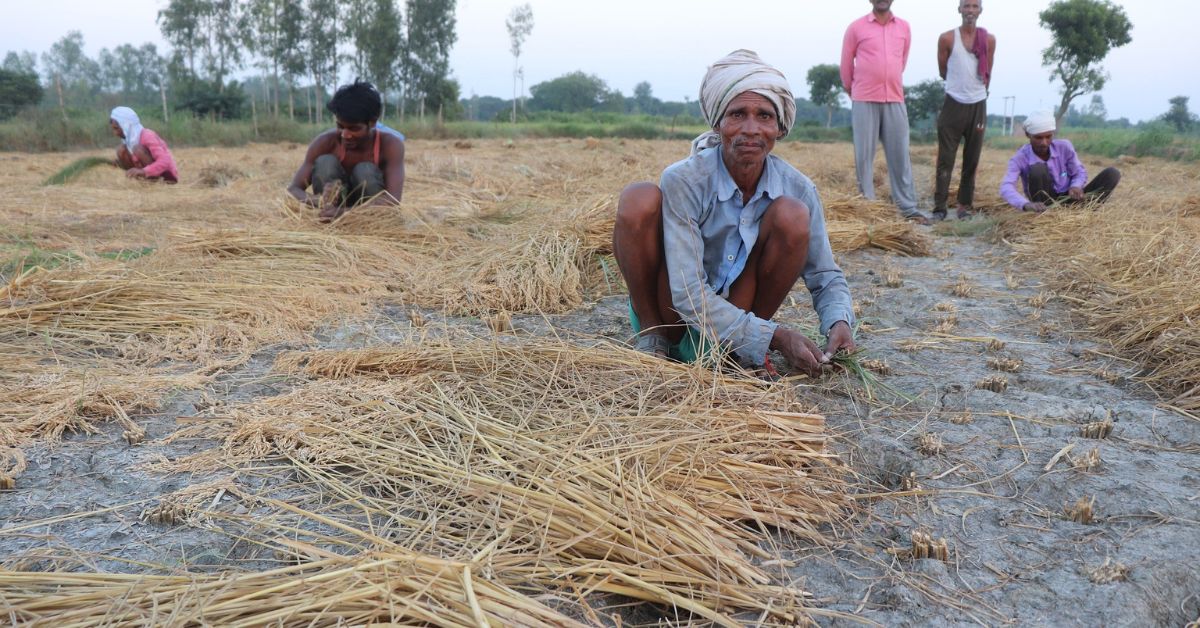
column 302, row 49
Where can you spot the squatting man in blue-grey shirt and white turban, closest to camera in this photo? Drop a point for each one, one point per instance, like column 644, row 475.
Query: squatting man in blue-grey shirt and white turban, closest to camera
column 712, row 252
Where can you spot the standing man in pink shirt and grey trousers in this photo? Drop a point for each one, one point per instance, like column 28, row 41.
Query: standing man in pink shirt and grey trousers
column 874, row 56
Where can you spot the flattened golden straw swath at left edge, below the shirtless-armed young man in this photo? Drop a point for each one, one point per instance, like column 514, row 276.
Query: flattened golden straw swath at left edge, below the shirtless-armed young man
column 206, row 297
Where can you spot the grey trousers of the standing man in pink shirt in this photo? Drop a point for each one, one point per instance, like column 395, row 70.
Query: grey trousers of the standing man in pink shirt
column 887, row 122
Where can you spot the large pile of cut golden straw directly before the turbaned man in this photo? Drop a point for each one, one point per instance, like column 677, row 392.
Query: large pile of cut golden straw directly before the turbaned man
column 578, row 470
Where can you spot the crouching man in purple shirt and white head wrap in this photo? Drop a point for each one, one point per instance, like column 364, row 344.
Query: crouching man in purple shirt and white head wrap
column 1051, row 171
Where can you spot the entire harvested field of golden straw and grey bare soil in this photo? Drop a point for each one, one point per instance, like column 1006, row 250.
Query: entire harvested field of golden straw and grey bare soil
column 215, row 410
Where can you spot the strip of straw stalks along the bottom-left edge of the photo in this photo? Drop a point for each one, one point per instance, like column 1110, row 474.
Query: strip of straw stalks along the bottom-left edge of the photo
column 387, row 588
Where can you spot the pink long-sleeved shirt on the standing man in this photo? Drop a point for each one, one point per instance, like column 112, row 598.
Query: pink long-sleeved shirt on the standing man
column 873, row 59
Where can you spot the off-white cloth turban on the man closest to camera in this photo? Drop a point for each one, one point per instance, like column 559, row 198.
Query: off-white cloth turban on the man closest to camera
column 739, row 73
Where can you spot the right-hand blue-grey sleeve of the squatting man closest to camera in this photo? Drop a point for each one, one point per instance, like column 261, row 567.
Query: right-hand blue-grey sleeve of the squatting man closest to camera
column 823, row 277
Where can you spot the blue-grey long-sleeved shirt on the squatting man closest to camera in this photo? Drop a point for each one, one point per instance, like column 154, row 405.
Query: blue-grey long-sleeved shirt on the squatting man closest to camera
column 709, row 232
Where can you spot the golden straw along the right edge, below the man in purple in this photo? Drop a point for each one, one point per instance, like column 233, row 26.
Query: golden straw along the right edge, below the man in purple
column 1133, row 280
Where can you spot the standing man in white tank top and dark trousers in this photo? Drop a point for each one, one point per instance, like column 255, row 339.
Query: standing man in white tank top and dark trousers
column 965, row 58
